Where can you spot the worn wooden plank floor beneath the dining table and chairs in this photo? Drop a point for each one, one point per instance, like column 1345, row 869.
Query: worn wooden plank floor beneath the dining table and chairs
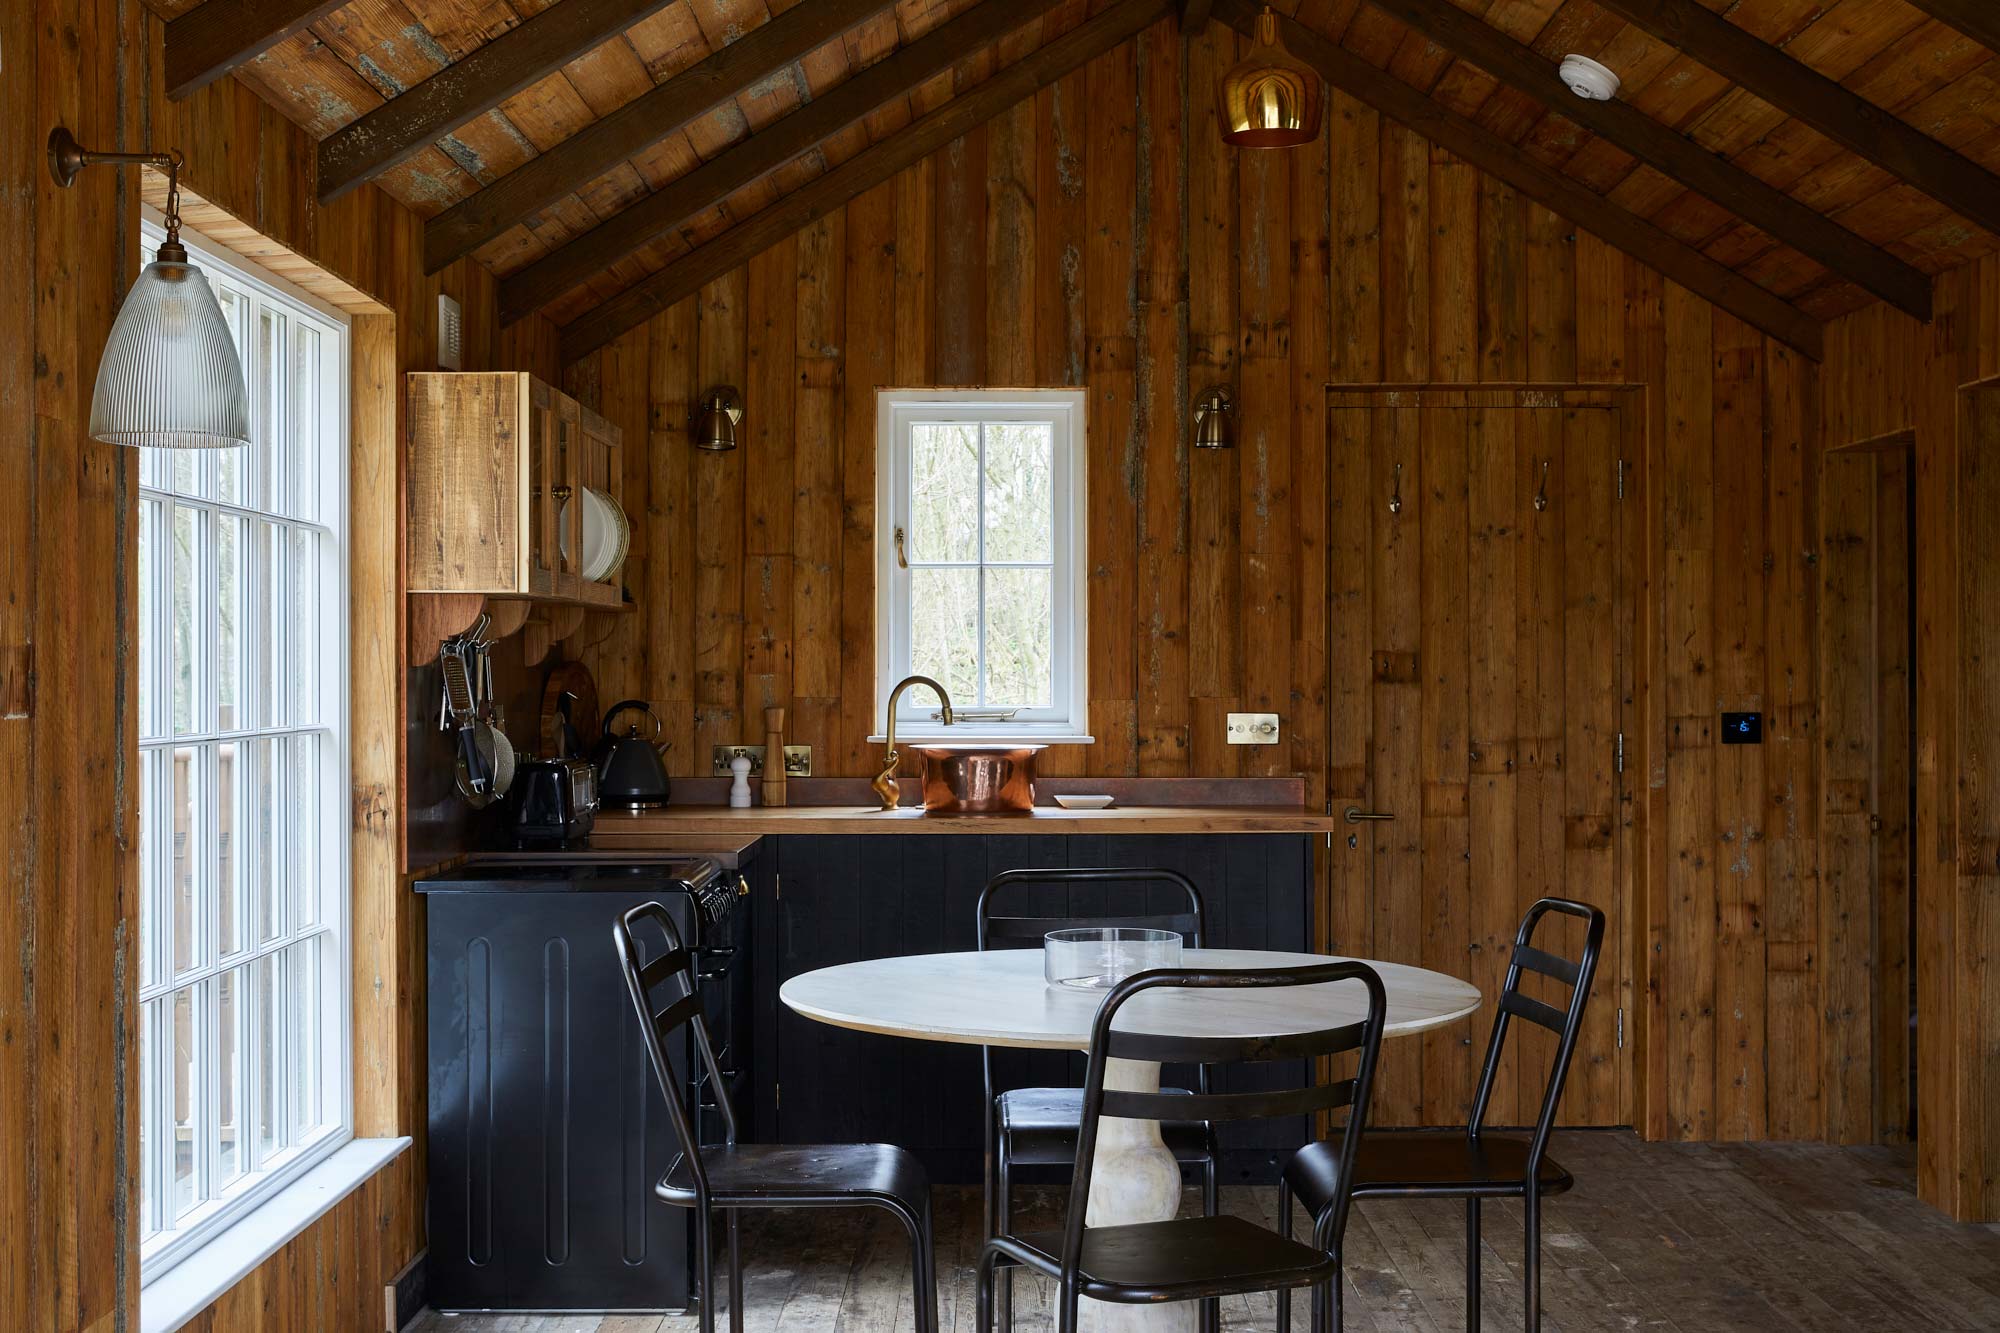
column 1661, row 1238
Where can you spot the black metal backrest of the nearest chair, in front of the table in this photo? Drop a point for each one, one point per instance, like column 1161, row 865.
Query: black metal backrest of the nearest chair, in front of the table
column 1317, row 1050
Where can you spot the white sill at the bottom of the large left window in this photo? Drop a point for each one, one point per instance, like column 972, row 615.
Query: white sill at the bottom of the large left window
column 193, row 1286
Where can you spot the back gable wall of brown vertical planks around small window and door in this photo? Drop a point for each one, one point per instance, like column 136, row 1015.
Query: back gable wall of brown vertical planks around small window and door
column 1105, row 237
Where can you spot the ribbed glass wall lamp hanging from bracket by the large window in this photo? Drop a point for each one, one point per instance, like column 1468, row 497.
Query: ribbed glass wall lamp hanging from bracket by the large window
column 171, row 375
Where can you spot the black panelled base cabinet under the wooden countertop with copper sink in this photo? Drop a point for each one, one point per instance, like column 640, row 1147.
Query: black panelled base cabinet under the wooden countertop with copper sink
column 847, row 898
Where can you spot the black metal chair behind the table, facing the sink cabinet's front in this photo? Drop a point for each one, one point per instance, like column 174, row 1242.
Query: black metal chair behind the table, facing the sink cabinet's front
column 1039, row 1126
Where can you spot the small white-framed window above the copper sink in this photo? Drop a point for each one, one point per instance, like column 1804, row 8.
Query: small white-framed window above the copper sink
column 981, row 573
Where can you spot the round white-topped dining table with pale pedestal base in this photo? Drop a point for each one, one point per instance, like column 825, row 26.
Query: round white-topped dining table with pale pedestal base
column 1001, row 1000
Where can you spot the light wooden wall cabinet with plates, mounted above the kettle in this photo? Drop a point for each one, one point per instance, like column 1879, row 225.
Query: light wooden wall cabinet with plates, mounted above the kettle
column 495, row 465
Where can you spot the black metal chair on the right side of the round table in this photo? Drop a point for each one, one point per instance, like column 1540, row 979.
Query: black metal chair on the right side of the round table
column 1473, row 1166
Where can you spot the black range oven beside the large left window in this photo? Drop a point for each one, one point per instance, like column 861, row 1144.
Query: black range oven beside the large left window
column 547, row 1132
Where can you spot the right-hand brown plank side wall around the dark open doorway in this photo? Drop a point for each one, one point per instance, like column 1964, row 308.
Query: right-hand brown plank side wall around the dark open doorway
column 1887, row 373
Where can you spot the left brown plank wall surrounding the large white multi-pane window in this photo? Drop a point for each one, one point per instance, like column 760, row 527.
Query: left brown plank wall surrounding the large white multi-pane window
column 67, row 726
